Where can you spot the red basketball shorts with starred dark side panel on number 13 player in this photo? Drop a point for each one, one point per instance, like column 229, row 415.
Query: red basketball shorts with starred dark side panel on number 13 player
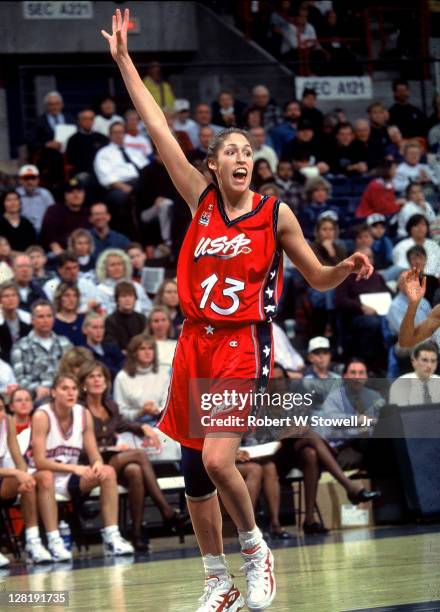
column 208, row 353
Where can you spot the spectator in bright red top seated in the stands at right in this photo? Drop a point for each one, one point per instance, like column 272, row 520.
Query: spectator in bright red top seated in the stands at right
column 379, row 196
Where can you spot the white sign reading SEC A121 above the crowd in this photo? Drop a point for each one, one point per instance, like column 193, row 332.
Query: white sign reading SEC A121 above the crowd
column 336, row 88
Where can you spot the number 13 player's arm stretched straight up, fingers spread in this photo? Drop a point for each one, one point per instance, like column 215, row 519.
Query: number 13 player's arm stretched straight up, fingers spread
column 189, row 182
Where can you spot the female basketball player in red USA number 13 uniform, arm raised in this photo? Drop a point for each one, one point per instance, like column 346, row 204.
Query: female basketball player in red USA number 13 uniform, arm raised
column 229, row 281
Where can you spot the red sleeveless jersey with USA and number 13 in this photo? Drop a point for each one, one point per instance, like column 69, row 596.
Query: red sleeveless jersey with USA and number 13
column 230, row 272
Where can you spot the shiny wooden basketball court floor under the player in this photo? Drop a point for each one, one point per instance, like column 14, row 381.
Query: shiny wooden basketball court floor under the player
column 362, row 569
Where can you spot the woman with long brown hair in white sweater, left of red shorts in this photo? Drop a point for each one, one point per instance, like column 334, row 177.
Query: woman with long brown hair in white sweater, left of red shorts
column 141, row 388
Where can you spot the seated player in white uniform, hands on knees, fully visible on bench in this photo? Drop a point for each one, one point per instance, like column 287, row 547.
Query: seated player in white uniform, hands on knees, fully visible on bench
column 62, row 429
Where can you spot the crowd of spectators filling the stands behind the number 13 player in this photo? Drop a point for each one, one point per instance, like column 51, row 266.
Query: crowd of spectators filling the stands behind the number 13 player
column 88, row 216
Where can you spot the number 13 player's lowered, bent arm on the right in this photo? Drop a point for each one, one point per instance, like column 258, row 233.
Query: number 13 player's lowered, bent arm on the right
column 320, row 277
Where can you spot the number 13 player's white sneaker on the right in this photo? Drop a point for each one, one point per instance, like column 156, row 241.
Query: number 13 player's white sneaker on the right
column 259, row 570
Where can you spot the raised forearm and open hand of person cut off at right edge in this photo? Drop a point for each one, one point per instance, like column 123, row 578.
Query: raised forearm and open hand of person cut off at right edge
column 410, row 334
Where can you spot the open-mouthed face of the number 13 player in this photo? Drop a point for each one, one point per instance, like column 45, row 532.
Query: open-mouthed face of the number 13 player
column 234, row 163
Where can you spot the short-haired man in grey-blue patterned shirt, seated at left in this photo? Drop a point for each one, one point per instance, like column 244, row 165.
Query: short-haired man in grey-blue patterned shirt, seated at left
column 35, row 357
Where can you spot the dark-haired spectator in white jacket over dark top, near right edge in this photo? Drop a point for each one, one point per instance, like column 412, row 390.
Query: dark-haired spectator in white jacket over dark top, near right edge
column 417, row 229
